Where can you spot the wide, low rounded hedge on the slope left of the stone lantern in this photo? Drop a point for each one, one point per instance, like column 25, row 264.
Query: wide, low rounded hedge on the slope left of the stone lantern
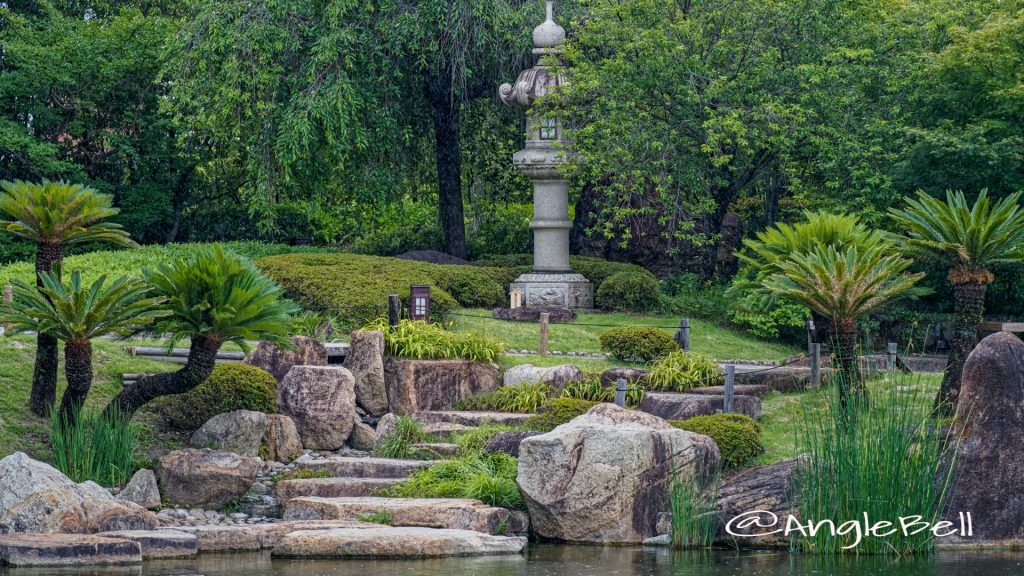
column 357, row 280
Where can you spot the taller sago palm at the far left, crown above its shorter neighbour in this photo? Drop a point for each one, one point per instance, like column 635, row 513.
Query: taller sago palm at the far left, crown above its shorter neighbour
column 54, row 216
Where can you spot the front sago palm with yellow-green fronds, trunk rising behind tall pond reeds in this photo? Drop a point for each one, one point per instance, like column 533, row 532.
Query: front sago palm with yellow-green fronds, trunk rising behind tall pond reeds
column 845, row 286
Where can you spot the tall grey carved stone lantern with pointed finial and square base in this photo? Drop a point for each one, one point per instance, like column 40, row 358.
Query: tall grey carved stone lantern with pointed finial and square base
column 551, row 283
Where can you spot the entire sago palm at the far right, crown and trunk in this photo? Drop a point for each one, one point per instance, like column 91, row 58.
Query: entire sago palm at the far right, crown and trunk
column 969, row 241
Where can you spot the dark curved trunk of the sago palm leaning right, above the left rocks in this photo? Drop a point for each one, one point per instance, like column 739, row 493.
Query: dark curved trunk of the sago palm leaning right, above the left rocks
column 202, row 359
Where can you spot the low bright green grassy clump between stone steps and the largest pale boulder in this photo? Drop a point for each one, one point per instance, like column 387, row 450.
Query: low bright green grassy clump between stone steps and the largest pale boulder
column 490, row 478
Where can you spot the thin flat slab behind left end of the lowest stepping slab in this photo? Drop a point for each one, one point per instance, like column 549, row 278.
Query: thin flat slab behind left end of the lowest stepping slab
column 258, row 537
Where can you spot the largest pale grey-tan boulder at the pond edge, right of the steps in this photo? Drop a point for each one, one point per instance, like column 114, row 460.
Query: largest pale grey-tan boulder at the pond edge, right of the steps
column 605, row 477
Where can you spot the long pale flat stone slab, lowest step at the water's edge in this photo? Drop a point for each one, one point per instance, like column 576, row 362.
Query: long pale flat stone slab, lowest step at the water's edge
column 395, row 543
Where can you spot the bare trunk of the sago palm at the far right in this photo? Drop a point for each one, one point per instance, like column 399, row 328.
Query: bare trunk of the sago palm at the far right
column 969, row 310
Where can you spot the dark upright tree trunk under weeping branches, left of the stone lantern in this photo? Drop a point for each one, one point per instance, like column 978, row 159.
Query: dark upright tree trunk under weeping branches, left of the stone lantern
column 449, row 161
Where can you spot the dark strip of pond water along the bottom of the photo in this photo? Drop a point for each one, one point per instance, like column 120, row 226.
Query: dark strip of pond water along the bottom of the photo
column 581, row 561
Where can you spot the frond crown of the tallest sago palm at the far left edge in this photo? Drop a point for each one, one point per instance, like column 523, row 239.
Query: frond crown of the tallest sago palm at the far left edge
column 59, row 213
